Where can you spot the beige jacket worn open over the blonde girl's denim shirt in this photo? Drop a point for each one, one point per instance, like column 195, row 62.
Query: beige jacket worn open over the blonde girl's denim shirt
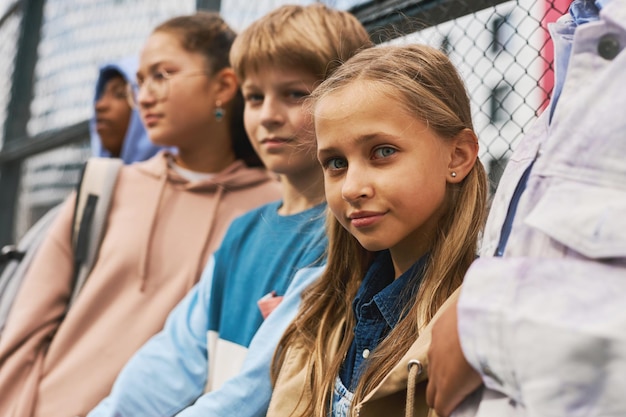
column 388, row 399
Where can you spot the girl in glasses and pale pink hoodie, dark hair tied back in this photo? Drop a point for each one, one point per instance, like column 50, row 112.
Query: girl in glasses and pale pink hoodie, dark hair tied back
column 167, row 215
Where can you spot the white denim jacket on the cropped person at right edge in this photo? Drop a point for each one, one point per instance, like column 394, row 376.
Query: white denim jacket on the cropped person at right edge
column 545, row 324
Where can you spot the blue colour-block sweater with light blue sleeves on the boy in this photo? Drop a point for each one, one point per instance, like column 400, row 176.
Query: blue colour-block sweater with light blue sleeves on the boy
column 205, row 339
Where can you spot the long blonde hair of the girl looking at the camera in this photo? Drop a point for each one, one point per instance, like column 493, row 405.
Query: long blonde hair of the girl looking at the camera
column 425, row 81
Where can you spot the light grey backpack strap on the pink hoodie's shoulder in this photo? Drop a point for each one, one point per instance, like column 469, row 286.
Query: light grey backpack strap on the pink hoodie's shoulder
column 93, row 201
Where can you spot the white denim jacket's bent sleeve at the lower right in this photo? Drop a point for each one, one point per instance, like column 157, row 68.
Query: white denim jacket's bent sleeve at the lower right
column 547, row 333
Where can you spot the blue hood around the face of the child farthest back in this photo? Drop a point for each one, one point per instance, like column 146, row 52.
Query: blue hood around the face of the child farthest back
column 137, row 145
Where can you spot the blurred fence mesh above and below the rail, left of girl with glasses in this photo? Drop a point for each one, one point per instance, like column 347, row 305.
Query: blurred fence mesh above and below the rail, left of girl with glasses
column 77, row 37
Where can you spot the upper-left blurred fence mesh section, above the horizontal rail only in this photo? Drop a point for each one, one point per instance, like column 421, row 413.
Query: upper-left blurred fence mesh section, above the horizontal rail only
column 77, row 37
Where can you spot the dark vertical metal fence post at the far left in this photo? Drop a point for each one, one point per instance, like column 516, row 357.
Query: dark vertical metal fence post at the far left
column 18, row 111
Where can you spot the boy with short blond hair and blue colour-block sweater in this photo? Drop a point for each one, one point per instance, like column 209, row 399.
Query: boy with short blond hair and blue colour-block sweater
column 276, row 249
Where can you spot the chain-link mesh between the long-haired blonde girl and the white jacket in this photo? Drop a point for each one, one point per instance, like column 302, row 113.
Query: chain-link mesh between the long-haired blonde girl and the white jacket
column 504, row 55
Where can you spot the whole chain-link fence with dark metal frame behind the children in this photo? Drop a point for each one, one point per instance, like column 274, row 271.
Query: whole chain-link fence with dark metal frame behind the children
column 502, row 50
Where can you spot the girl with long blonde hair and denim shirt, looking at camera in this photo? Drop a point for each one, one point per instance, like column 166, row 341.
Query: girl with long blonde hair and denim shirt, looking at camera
column 407, row 195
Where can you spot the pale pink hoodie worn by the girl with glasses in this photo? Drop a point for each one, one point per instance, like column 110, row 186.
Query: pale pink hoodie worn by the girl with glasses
column 161, row 230
